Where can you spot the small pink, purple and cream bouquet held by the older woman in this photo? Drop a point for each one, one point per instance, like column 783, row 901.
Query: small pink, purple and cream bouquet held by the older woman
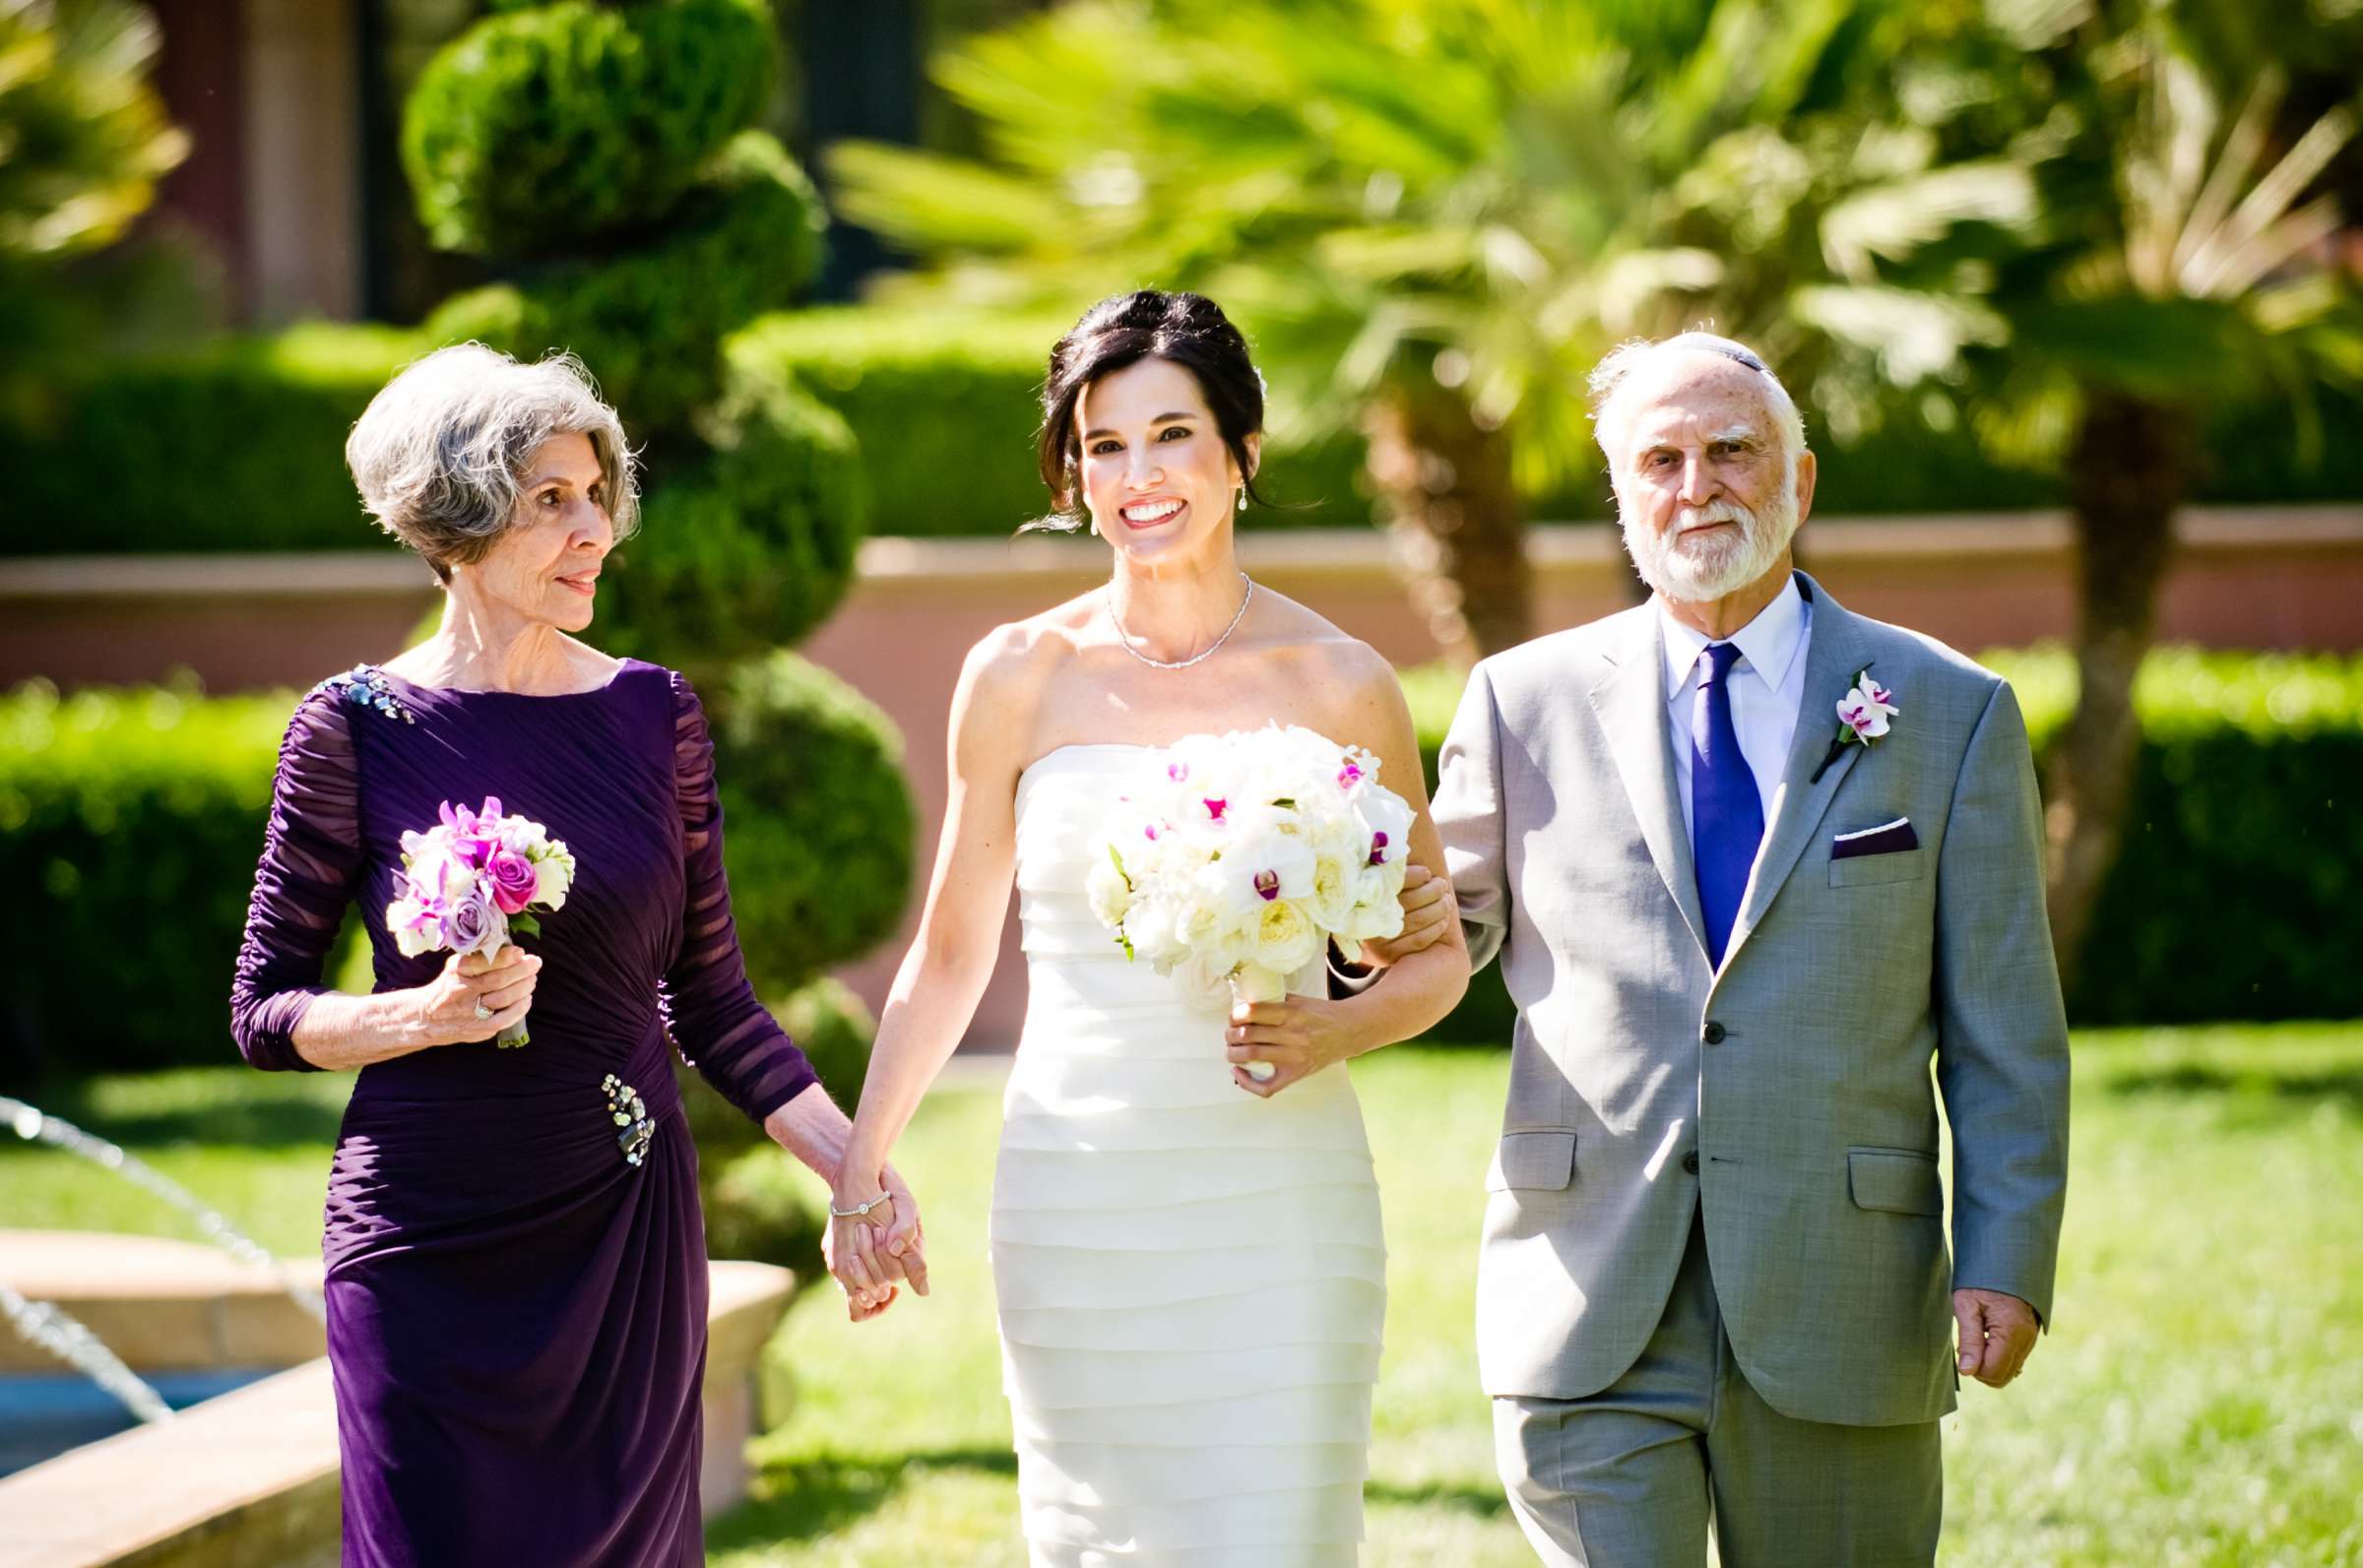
column 471, row 884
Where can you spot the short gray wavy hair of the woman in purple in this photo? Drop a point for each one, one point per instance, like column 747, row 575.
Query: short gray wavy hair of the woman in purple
column 443, row 447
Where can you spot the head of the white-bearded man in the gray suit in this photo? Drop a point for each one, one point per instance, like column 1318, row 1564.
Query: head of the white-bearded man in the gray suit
column 1705, row 485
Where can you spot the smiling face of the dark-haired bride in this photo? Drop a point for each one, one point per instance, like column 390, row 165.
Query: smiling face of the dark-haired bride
column 1157, row 476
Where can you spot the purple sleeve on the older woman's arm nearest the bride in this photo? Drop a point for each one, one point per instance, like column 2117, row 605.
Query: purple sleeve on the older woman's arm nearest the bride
column 708, row 1002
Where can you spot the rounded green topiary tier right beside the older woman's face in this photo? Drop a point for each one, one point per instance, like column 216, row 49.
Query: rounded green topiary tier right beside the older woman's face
column 753, row 544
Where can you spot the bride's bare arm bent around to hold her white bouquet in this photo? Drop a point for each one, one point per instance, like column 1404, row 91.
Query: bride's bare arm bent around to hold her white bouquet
column 1306, row 1035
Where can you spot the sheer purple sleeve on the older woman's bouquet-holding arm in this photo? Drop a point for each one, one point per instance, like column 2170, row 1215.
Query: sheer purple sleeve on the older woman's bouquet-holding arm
column 311, row 870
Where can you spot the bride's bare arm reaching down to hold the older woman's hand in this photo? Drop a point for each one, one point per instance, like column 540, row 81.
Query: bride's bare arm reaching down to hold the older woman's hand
column 946, row 969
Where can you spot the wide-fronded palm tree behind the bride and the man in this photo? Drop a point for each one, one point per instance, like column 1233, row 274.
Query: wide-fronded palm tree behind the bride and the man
column 1440, row 214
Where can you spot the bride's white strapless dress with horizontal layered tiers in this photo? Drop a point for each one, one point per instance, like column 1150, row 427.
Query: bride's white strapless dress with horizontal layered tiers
column 1192, row 1279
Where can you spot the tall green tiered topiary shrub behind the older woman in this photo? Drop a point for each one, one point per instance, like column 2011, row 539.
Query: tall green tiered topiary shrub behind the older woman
column 632, row 124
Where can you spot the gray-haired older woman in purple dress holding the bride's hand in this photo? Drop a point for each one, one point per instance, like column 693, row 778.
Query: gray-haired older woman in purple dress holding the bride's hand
column 516, row 1260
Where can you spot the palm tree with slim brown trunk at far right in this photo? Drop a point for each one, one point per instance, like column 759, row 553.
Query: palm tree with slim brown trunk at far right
column 2187, row 263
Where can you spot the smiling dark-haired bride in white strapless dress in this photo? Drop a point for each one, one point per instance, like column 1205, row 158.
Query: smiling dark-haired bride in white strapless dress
column 1187, row 1255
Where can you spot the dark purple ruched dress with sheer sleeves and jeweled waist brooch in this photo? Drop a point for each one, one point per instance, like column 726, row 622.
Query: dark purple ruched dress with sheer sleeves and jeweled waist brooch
column 516, row 1314
